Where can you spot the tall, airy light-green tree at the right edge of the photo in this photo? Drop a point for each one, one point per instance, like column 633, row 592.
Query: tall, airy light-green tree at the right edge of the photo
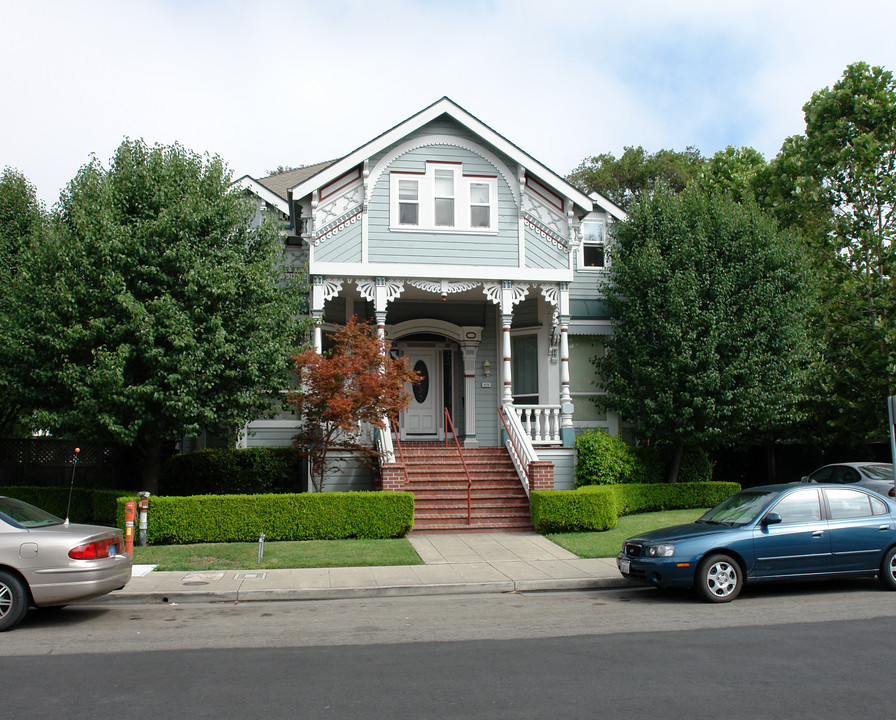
column 837, row 185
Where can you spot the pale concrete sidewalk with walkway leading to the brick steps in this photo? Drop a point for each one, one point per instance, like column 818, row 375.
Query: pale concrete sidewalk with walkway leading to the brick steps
column 454, row 564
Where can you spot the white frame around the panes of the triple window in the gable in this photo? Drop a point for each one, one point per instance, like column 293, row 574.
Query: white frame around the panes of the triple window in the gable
column 463, row 205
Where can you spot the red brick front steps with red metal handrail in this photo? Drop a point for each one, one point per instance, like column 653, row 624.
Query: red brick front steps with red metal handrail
column 437, row 480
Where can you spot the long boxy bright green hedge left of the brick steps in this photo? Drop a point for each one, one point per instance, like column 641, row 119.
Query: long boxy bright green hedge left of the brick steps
column 303, row 516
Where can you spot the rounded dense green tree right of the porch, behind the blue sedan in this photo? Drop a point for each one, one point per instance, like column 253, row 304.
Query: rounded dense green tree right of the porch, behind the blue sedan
column 708, row 302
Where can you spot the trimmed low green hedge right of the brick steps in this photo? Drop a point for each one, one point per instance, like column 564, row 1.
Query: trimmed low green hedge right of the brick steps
column 599, row 507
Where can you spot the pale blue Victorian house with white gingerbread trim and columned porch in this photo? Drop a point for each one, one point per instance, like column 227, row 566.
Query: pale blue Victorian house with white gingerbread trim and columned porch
column 479, row 265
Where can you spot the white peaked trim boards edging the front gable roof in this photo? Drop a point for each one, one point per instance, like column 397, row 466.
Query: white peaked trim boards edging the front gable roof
column 448, row 107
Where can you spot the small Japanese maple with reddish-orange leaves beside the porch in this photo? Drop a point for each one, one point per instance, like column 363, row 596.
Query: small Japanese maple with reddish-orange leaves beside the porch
column 353, row 383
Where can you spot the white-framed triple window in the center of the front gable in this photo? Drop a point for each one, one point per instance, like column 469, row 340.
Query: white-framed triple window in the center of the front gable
column 443, row 199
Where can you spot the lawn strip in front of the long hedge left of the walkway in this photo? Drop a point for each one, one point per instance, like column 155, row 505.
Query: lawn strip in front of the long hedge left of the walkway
column 308, row 553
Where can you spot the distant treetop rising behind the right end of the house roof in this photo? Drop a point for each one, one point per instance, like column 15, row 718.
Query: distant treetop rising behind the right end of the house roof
column 636, row 173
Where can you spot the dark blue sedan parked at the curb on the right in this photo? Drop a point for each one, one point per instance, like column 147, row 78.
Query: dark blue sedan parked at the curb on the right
column 775, row 532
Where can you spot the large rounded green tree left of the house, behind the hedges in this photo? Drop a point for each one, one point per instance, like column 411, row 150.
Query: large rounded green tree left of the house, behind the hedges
column 156, row 307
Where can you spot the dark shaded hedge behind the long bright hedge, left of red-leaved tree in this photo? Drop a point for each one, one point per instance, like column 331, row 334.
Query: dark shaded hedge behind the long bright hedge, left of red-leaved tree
column 231, row 471
